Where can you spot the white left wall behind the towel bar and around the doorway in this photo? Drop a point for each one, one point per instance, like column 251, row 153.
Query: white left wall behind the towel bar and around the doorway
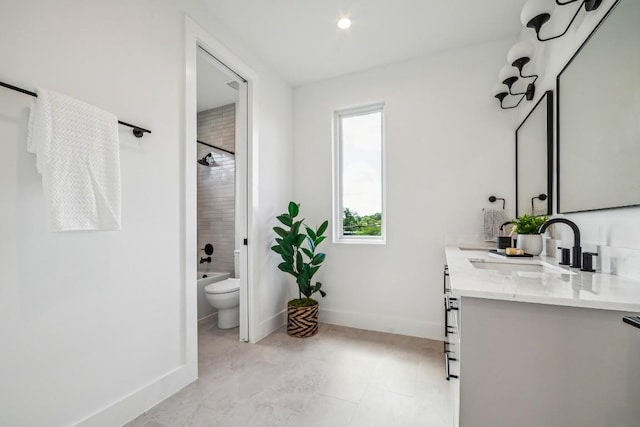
column 92, row 323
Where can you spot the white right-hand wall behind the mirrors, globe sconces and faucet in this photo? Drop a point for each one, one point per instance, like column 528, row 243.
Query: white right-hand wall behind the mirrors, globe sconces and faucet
column 612, row 233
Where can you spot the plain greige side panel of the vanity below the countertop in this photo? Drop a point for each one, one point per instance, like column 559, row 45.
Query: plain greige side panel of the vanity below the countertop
column 532, row 365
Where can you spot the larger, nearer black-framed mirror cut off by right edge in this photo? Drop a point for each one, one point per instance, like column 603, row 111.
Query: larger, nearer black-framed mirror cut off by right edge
column 599, row 117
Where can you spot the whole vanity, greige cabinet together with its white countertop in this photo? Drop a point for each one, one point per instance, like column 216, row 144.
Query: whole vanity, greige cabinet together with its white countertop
column 542, row 349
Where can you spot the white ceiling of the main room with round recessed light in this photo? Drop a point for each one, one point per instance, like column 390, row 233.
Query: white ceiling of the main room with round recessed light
column 301, row 41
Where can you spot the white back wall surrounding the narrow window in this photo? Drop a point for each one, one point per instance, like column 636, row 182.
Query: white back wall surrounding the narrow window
column 448, row 148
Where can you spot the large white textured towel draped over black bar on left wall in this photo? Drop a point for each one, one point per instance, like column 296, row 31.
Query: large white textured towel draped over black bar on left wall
column 76, row 145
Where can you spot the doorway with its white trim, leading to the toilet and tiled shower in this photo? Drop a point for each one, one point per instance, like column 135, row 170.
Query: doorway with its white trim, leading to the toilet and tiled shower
column 216, row 168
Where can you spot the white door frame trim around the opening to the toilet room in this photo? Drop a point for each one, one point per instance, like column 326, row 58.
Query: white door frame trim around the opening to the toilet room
column 197, row 37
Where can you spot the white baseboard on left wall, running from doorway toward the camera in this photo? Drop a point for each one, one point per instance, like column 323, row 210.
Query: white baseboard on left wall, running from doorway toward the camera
column 129, row 407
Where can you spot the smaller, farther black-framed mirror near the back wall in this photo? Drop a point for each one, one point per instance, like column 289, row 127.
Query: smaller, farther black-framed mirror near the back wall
column 534, row 159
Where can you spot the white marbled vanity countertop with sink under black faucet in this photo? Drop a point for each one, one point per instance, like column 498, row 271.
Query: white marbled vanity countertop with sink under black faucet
column 581, row 289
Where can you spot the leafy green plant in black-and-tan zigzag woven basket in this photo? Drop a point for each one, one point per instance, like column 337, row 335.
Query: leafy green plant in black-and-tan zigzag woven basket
column 296, row 244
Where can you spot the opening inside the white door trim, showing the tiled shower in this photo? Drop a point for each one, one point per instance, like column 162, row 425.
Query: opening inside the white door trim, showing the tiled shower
column 221, row 208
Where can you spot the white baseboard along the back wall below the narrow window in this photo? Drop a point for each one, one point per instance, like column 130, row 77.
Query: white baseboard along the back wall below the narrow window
column 380, row 323
